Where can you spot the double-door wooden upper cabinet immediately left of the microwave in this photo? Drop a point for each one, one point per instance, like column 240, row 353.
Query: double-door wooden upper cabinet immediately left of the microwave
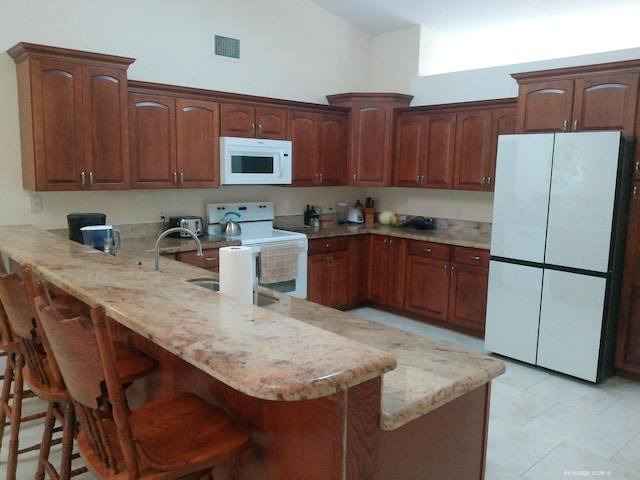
column 174, row 141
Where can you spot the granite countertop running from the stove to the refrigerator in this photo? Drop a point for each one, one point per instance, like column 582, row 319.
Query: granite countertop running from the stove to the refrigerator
column 463, row 234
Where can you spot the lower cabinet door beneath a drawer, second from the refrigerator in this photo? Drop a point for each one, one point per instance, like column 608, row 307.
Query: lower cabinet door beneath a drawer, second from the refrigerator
column 427, row 287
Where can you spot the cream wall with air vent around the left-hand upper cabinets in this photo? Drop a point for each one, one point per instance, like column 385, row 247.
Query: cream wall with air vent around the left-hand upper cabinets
column 291, row 49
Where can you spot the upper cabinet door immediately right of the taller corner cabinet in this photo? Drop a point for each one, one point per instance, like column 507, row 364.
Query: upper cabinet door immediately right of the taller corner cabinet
column 409, row 134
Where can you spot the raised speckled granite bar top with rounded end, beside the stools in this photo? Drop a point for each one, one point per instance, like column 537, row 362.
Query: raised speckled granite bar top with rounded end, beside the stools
column 255, row 351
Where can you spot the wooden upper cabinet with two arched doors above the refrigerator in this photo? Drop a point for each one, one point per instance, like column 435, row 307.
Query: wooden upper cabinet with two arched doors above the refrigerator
column 594, row 97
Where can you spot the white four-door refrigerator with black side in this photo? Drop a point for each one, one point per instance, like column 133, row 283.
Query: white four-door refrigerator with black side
column 557, row 247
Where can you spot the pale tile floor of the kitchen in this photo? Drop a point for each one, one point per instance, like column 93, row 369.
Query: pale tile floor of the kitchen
column 543, row 426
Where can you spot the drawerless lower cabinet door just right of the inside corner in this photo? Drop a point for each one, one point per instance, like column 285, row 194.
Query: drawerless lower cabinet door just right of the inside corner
column 385, row 283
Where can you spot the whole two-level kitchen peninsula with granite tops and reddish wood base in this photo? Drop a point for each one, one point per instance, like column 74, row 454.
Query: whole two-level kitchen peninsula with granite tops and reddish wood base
column 327, row 395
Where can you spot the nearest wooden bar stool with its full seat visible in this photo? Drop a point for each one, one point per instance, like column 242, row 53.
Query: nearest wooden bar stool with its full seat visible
column 166, row 438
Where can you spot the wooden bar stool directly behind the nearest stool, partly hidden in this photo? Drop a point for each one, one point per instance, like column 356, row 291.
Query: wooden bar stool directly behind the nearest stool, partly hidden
column 40, row 371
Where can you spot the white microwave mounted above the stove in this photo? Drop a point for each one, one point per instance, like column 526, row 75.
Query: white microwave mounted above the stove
column 255, row 161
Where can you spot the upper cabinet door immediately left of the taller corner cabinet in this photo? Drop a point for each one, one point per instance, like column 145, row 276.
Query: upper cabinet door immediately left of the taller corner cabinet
column 331, row 145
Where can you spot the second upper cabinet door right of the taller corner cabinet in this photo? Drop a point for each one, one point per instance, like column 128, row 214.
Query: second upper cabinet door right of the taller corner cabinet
column 438, row 150
